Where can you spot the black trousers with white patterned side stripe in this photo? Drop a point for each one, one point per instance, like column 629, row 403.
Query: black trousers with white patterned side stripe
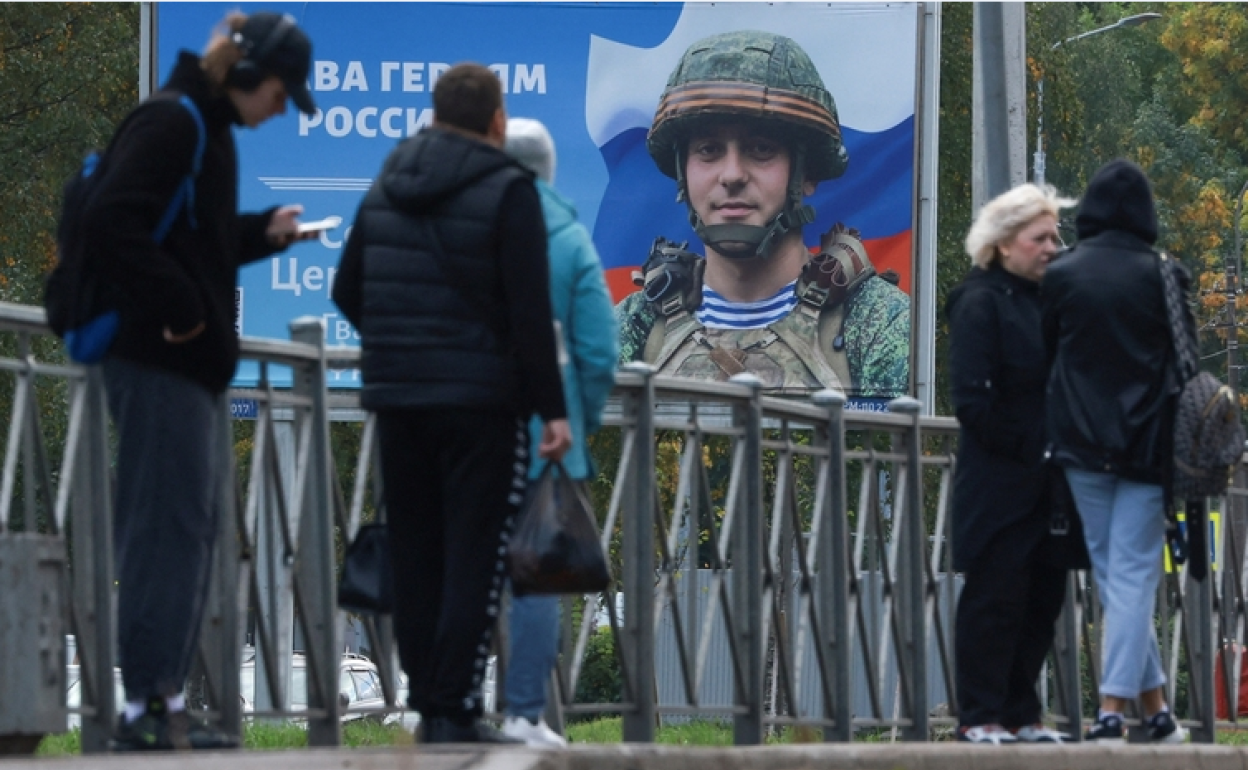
column 454, row 482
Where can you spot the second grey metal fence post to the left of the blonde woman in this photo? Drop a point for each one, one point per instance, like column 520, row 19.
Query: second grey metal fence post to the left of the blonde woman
column 834, row 565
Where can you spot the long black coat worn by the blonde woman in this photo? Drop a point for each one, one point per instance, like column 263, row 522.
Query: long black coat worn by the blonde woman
column 998, row 369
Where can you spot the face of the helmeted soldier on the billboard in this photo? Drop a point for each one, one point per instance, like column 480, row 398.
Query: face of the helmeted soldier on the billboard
column 737, row 175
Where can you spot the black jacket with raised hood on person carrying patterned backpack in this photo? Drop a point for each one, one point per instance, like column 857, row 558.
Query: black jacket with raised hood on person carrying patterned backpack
column 1108, row 338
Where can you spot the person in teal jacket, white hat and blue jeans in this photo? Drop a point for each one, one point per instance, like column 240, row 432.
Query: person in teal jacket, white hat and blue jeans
column 588, row 354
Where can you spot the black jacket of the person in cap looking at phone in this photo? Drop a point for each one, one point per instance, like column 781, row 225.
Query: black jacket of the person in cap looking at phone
column 192, row 276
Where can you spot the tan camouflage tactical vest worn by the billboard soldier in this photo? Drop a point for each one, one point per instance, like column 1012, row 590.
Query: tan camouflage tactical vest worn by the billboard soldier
column 802, row 353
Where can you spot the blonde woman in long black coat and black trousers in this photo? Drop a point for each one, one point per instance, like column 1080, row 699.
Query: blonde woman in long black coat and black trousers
column 1014, row 586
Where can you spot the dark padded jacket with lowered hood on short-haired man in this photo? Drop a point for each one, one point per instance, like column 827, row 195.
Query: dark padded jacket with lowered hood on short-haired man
column 446, row 278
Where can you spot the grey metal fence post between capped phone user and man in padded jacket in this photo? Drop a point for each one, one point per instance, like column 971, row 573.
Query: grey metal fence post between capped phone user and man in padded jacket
column 315, row 568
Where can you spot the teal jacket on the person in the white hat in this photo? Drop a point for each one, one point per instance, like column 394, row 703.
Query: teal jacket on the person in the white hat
column 583, row 308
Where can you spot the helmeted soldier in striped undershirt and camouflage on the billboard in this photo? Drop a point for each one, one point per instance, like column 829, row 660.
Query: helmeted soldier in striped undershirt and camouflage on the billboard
column 748, row 130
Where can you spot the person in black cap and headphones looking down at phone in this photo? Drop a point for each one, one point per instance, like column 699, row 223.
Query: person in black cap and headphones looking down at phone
column 177, row 349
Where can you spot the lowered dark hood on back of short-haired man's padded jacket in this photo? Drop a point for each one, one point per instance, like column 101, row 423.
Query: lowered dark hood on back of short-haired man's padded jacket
column 435, row 165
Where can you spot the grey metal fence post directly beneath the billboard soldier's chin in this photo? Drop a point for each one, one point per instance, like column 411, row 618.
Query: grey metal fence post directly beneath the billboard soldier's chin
column 748, row 545
